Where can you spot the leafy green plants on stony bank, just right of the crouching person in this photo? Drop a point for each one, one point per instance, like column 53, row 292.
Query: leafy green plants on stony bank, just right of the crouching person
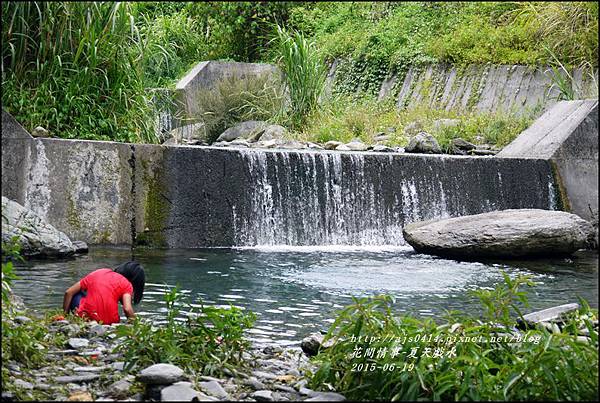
column 206, row 343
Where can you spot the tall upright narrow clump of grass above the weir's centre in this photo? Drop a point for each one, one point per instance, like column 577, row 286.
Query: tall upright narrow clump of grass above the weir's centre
column 304, row 73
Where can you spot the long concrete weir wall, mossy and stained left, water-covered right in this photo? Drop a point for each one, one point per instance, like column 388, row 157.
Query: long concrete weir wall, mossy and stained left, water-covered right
column 191, row 196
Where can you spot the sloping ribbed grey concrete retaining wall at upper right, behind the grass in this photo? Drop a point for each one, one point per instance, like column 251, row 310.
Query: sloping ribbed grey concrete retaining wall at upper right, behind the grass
column 481, row 88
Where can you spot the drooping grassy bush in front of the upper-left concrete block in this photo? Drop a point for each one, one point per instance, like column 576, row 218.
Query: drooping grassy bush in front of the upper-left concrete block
column 237, row 100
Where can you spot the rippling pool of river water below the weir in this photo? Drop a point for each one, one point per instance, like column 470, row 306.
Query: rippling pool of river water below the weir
column 296, row 290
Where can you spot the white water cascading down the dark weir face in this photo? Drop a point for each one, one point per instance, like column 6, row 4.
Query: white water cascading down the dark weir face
column 333, row 198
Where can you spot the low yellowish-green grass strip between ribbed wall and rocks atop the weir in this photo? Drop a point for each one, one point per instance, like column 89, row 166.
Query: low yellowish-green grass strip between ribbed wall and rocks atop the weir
column 343, row 118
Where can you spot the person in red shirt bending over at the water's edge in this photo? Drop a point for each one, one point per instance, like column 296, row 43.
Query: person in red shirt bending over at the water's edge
column 97, row 295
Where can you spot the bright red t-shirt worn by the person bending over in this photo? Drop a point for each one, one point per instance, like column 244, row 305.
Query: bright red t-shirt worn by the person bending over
column 105, row 288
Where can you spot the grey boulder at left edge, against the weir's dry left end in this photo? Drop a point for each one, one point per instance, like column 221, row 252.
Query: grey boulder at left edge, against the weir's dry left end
column 34, row 235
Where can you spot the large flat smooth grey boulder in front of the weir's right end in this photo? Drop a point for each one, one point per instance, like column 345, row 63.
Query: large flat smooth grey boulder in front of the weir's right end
column 501, row 234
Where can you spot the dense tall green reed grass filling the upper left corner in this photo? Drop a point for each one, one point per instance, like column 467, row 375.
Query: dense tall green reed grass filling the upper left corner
column 74, row 68
